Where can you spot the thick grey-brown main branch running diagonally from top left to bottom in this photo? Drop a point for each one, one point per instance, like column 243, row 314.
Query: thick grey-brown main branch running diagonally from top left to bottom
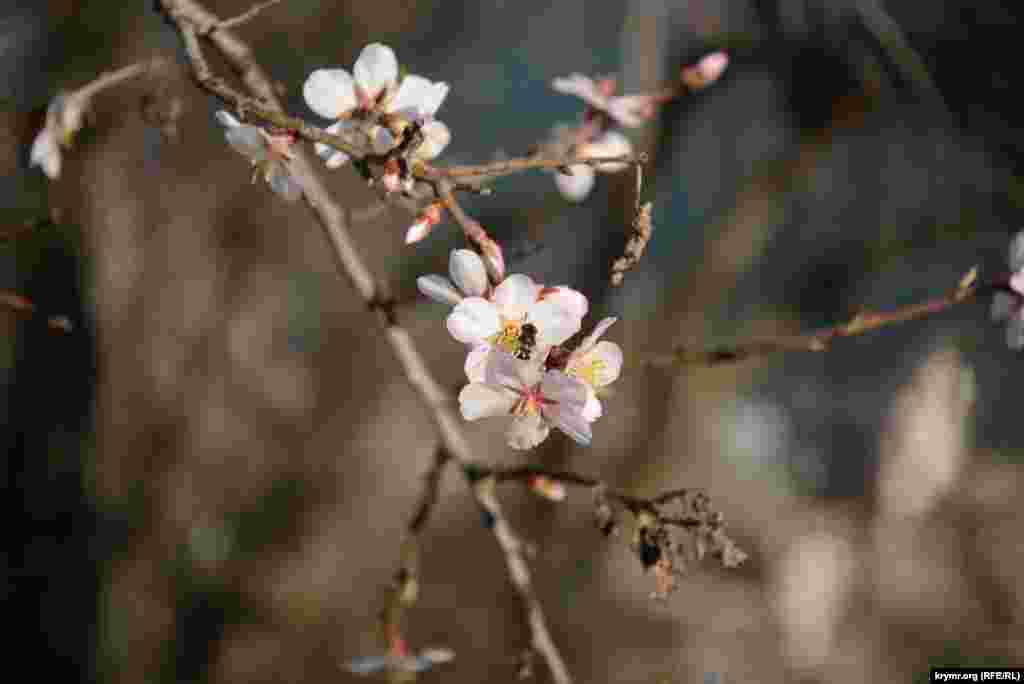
column 188, row 16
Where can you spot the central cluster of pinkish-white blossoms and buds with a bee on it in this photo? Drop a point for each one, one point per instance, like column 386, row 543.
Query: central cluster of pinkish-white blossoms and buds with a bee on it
column 518, row 365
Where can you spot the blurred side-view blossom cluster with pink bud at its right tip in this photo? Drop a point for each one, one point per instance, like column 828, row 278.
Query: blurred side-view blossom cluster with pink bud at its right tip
column 599, row 136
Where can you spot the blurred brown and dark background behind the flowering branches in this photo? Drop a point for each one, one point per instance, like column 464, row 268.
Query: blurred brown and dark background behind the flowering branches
column 208, row 480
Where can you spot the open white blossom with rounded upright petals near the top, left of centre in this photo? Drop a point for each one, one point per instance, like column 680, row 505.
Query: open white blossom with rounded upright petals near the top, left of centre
column 373, row 109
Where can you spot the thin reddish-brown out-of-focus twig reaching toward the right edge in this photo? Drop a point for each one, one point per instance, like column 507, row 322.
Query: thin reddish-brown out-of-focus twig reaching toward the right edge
column 822, row 340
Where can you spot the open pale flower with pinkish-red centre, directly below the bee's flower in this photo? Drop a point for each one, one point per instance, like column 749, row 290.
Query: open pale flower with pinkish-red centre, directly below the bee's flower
column 537, row 401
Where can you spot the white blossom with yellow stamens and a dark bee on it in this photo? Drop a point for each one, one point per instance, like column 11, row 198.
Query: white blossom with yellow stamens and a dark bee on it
column 521, row 318
